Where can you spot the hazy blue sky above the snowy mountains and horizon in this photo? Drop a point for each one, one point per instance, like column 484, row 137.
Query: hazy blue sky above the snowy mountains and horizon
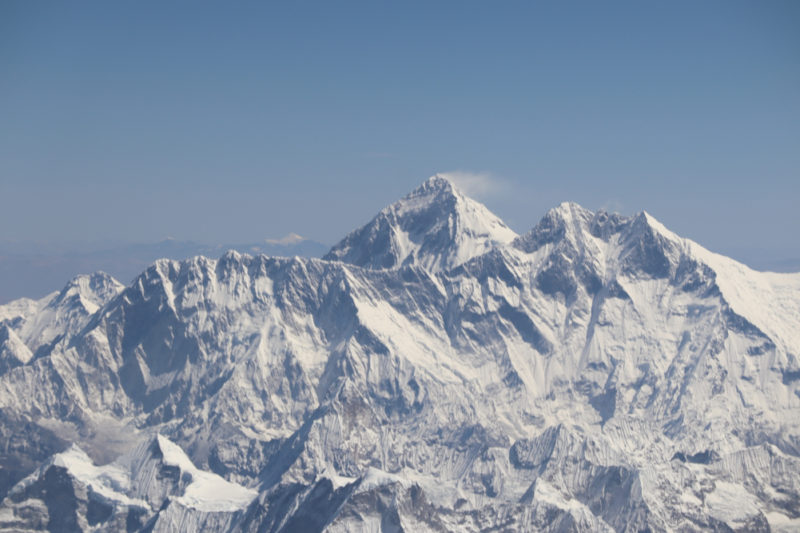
column 234, row 122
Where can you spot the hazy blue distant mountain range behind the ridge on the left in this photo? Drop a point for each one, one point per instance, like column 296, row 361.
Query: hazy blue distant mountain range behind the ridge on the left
column 30, row 270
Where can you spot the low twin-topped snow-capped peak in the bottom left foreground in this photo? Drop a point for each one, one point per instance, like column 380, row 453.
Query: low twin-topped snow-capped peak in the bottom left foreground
column 155, row 487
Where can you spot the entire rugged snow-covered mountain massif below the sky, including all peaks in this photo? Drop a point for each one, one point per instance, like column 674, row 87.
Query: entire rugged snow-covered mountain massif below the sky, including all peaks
column 434, row 372
